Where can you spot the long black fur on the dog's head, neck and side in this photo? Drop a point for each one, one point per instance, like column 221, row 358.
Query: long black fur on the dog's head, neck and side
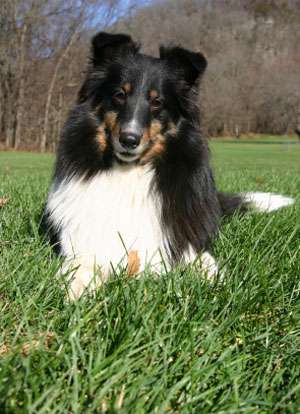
column 191, row 206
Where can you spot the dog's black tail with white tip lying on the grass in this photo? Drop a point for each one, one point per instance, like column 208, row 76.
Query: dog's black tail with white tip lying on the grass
column 259, row 202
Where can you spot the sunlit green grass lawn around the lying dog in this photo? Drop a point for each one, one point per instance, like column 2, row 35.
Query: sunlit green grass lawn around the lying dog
column 170, row 344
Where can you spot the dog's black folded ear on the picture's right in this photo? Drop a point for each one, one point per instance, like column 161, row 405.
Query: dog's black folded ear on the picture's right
column 188, row 65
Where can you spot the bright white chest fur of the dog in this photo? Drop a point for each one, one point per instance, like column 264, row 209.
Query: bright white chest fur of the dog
column 102, row 218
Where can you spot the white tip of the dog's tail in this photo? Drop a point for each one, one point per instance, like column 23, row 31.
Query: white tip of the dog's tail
column 267, row 202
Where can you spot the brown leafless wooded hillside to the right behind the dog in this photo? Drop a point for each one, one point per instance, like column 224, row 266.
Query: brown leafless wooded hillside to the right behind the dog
column 252, row 82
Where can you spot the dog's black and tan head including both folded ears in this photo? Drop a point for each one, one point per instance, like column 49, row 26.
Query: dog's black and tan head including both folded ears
column 139, row 100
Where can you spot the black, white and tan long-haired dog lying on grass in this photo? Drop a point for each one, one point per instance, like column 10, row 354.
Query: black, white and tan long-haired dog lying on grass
column 133, row 187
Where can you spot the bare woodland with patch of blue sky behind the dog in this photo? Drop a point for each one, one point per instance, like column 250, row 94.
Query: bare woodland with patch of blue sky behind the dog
column 252, row 83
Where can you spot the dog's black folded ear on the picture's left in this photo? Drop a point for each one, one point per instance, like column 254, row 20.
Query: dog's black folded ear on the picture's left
column 106, row 46
